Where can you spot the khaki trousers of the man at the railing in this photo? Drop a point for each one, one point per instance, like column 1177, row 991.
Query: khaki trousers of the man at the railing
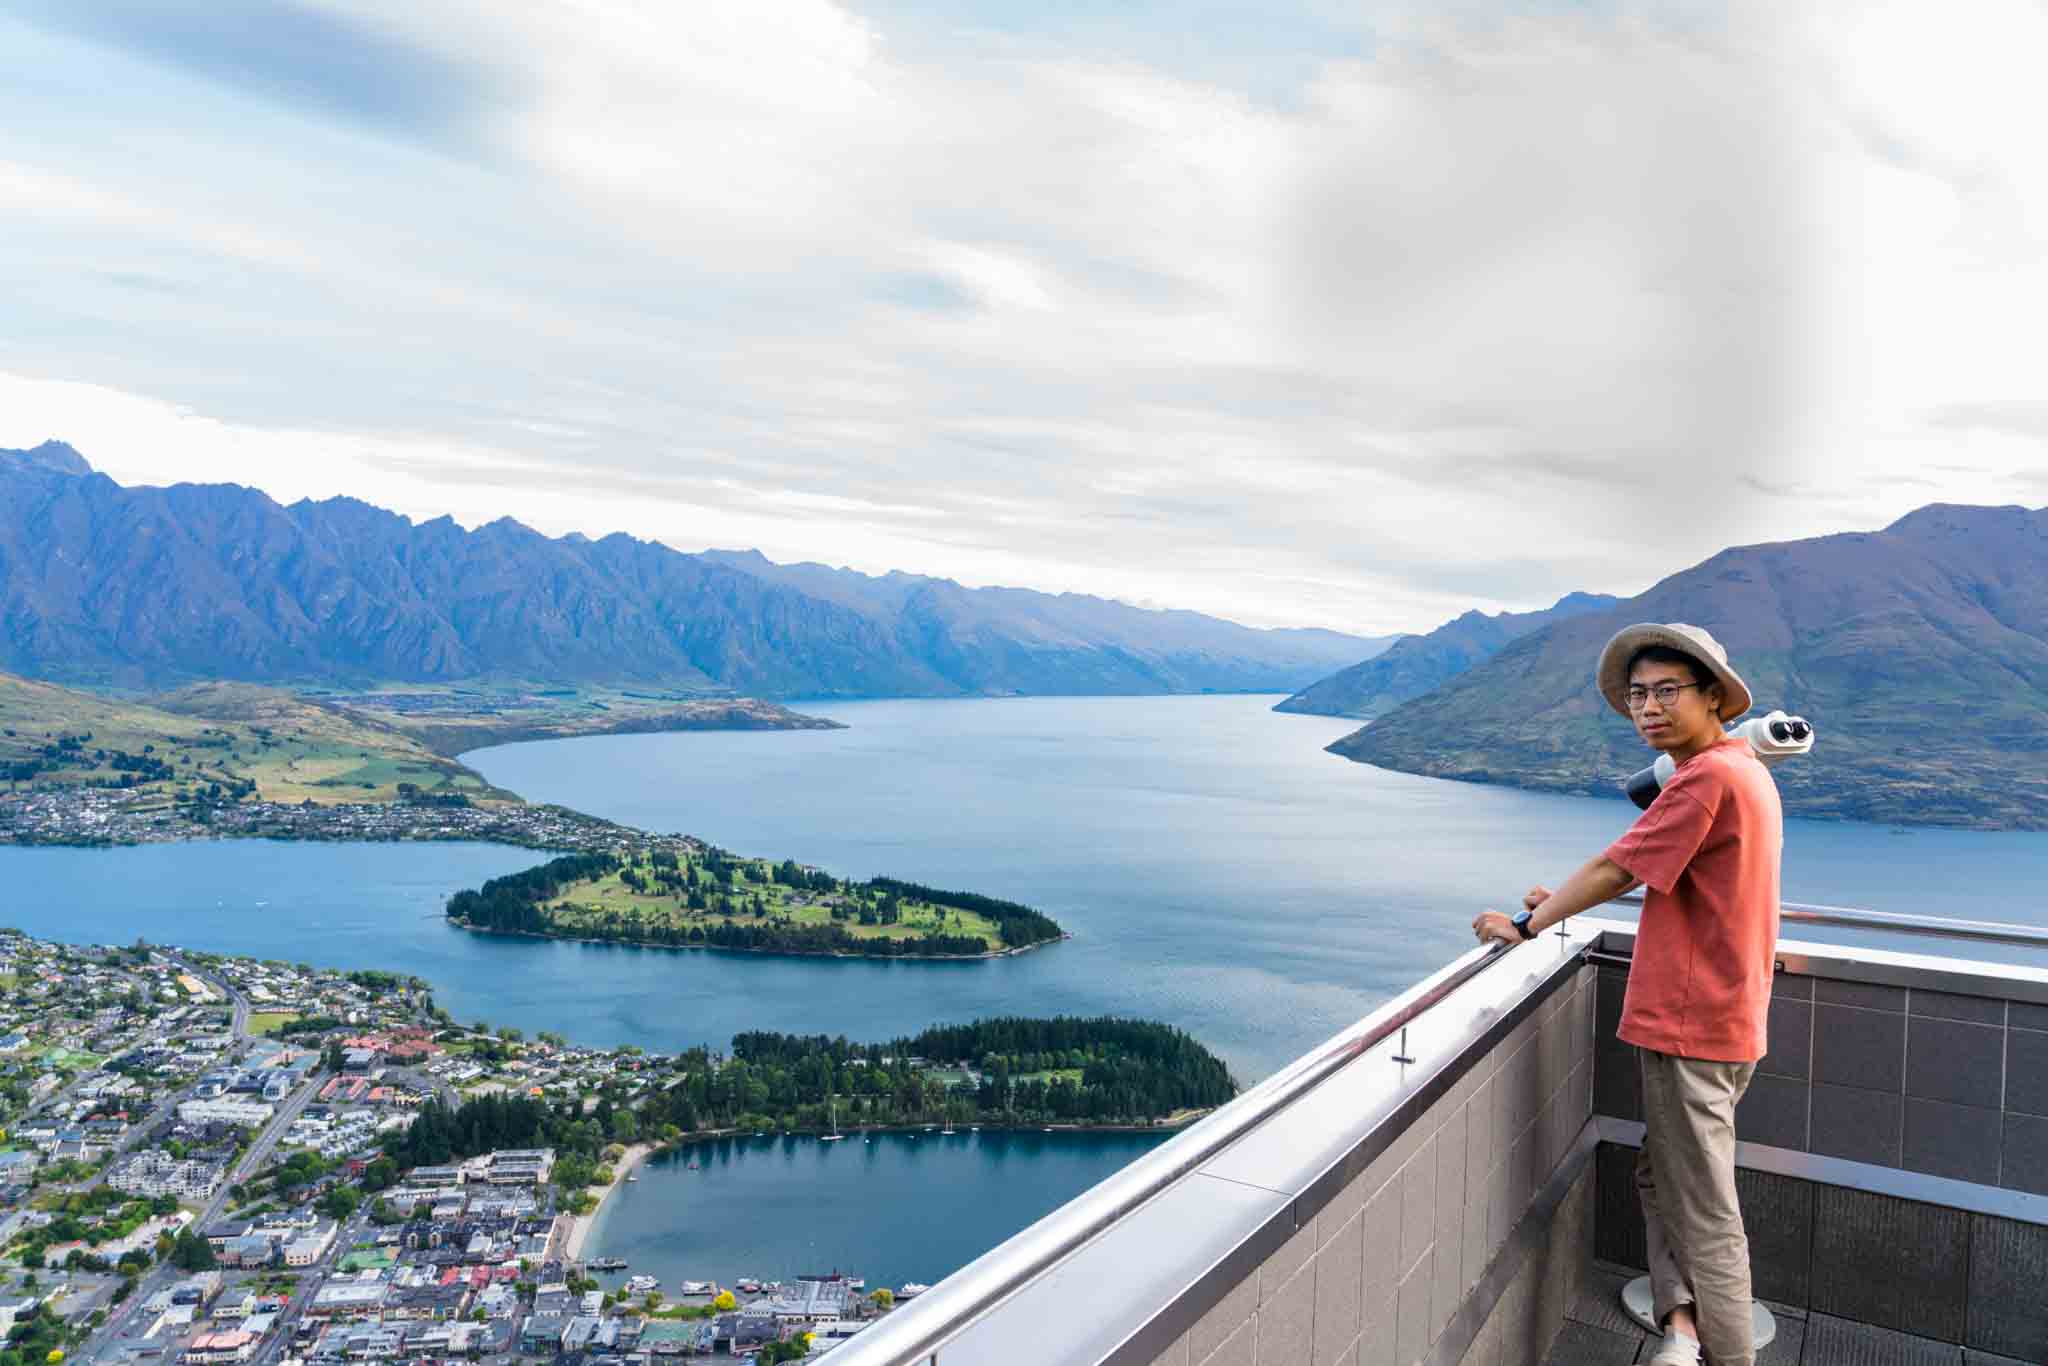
column 1687, row 1177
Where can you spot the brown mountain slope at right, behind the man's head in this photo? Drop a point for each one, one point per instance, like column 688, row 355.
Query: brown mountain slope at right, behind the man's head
column 1920, row 652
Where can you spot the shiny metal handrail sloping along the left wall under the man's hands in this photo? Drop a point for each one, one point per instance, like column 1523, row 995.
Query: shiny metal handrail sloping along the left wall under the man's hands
column 921, row 1330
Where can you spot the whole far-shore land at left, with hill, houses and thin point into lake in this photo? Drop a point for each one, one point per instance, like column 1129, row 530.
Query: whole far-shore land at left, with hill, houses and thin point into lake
column 228, row 759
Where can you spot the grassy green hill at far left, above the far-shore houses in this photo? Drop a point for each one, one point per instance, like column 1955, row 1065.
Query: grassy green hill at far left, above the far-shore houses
column 237, row 738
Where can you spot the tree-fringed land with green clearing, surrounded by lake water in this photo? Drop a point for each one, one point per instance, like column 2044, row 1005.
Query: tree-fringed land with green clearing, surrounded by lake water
column 693, row 896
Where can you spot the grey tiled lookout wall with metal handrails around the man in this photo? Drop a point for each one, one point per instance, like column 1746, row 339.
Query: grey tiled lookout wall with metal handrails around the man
column 1449, row 1183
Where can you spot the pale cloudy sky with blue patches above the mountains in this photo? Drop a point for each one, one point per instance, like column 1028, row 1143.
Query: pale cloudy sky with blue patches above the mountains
column 1314, row 314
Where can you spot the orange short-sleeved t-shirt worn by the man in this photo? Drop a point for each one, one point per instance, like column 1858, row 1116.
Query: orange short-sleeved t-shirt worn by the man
column 1707, row 855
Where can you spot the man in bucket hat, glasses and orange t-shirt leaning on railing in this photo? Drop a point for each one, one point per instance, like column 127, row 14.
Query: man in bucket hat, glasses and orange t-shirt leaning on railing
column 1701, row 984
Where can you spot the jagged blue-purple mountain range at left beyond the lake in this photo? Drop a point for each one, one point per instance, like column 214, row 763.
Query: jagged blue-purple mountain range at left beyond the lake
column 155, row 587
